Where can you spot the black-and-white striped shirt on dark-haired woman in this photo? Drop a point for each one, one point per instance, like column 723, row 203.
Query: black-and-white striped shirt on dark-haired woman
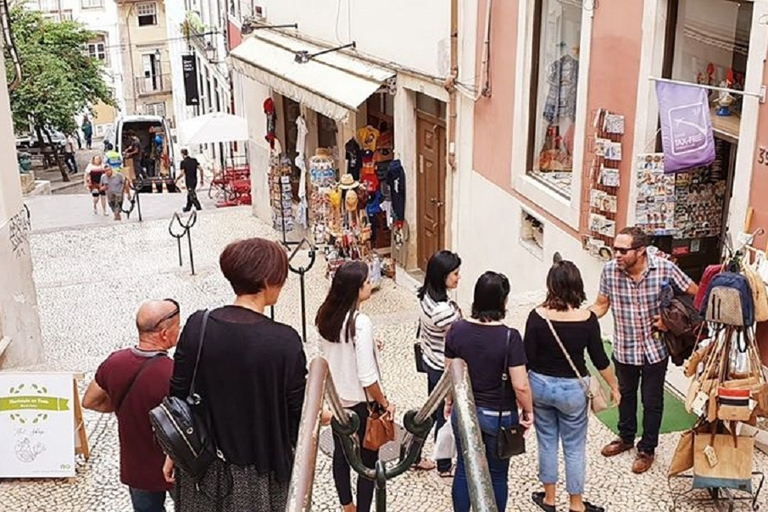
column 434, row 321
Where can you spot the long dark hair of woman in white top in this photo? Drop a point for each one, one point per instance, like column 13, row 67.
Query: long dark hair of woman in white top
column 341, row 300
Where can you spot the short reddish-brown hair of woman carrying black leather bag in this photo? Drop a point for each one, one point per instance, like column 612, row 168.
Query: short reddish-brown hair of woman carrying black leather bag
column 253, row 264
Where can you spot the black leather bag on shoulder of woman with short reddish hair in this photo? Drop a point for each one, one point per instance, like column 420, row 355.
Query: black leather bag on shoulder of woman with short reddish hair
column 180, row 428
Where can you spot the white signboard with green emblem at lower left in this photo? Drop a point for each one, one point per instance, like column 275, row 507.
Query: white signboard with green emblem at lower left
column 37, row 425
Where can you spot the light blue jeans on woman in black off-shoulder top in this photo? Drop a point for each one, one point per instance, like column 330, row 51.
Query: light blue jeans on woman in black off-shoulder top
column 560, row 411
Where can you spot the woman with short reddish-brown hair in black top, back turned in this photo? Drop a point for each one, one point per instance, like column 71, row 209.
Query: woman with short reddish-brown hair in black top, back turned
column 251, row 380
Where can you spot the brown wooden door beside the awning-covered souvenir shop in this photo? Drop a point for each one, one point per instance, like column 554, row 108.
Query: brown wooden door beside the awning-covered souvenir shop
column 430, row 187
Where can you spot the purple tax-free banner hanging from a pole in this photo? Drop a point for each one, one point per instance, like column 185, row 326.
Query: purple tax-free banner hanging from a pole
column 686, row 126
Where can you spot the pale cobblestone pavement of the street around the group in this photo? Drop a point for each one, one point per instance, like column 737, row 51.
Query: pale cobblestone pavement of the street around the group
column 90, row 282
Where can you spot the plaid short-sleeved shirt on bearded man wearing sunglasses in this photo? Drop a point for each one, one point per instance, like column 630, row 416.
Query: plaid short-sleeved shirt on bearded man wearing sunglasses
column 634, row 304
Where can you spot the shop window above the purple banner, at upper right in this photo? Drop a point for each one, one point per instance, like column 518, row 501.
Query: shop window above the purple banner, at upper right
column 708, row 43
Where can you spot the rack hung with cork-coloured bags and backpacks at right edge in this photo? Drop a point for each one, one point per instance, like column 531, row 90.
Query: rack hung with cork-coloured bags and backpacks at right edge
column 728, row 391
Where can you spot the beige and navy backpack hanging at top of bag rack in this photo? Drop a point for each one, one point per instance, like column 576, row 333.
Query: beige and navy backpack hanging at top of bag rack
column 728, row 300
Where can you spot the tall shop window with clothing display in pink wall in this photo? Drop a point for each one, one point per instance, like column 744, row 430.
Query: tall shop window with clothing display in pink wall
column 554, row 92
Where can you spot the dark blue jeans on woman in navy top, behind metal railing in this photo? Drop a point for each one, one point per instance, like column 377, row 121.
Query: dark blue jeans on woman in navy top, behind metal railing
column 499, row 468
